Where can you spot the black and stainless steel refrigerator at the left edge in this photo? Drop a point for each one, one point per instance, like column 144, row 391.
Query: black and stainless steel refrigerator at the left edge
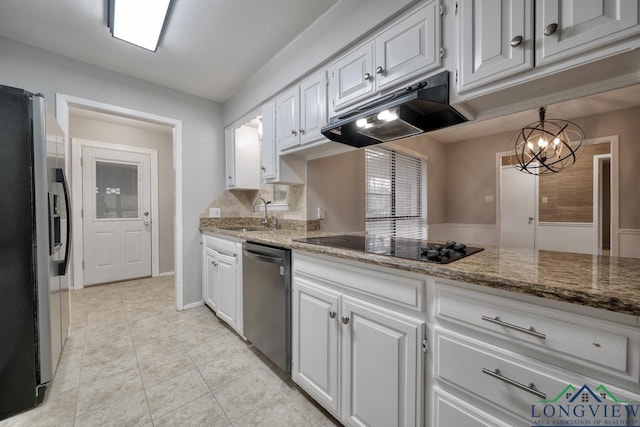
column 35, row 246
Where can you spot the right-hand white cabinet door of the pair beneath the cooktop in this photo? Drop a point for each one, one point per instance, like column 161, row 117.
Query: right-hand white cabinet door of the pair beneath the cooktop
column 382, row 366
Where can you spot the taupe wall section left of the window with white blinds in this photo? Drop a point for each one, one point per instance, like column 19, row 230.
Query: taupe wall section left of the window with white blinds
column 337, row 184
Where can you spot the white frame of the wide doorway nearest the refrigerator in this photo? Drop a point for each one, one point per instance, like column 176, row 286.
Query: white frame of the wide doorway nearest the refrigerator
column 63, row 102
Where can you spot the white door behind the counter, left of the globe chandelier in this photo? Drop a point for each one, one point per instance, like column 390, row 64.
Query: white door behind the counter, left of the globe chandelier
column 518, row 195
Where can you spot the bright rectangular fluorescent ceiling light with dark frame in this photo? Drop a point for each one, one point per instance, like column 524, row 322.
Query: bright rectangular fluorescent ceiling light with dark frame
column 140, row 22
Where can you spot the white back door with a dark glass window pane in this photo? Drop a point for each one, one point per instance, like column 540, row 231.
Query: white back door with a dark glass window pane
column 116, row 206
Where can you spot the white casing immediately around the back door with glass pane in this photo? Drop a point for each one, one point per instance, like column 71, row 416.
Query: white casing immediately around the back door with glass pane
column 77, row 144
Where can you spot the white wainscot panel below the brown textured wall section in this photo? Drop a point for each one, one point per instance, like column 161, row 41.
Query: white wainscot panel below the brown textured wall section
column 565, row 237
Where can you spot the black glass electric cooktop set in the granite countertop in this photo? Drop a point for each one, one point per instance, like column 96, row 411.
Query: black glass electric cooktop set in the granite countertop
column 414, row 249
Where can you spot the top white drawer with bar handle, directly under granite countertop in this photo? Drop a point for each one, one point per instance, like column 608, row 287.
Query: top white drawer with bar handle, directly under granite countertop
column 574, row 338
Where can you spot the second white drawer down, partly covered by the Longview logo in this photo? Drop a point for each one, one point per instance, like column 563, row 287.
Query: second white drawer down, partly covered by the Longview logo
column 518, row 385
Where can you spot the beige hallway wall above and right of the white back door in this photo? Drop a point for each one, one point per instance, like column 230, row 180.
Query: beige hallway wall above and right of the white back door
column 96, row 130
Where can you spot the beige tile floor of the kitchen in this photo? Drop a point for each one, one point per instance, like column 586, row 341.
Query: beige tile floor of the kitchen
column 133, row 360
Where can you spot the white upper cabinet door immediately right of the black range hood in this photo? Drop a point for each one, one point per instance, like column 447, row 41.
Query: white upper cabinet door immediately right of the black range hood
column 495, row 40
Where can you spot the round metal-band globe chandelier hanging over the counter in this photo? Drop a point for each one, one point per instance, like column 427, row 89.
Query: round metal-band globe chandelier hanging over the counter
column 546, row 146
